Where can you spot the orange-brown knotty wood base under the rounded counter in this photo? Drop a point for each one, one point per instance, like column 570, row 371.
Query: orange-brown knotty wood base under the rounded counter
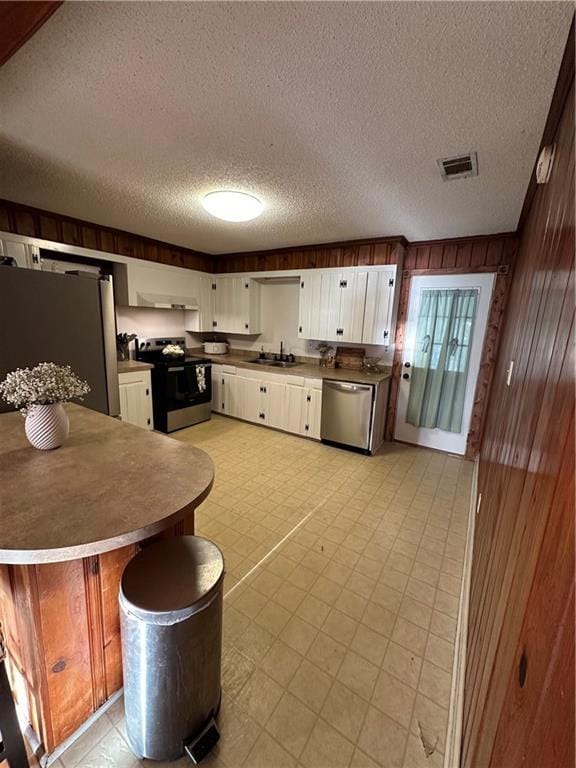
column 62, row 628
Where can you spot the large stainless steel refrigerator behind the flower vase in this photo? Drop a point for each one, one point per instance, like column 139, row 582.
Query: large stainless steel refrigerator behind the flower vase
column 66, row 319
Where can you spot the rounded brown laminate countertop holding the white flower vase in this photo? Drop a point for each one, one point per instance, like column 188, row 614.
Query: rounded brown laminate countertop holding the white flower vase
column 109, row 485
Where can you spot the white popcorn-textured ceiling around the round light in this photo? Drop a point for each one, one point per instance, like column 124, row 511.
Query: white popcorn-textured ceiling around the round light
column 334, row 114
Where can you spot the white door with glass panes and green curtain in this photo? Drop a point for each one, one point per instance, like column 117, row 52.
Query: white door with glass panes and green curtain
column 445, row 329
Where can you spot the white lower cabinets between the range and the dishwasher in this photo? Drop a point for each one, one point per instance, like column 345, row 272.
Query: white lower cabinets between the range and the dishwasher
column 290, row 403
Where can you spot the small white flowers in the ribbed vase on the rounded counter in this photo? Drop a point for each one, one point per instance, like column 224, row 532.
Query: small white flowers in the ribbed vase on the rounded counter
column 44, row 384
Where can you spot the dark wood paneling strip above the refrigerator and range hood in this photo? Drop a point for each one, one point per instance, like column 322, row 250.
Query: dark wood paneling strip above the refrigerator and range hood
column 23, row 220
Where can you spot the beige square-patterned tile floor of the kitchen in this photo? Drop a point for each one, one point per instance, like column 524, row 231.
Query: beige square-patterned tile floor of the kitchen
column 342, row 591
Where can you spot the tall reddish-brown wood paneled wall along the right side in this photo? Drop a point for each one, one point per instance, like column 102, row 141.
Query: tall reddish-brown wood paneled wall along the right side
column 519, row 694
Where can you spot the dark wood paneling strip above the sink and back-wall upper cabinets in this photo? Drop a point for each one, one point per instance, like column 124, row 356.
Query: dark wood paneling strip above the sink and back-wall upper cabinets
column 353, row 253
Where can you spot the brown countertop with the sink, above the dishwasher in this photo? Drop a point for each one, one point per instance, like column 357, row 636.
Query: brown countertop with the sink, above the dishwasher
column 308, row 370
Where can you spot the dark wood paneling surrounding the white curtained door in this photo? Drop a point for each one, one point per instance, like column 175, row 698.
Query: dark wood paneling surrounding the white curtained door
column 494, row 253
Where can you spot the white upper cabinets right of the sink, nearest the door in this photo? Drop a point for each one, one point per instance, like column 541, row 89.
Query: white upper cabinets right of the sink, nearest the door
column 357, row 306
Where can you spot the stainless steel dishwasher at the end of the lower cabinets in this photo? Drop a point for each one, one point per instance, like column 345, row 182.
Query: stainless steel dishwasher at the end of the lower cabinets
column 347, row 414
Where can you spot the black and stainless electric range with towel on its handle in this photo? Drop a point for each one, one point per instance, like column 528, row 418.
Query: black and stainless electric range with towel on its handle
column 181, row 385
